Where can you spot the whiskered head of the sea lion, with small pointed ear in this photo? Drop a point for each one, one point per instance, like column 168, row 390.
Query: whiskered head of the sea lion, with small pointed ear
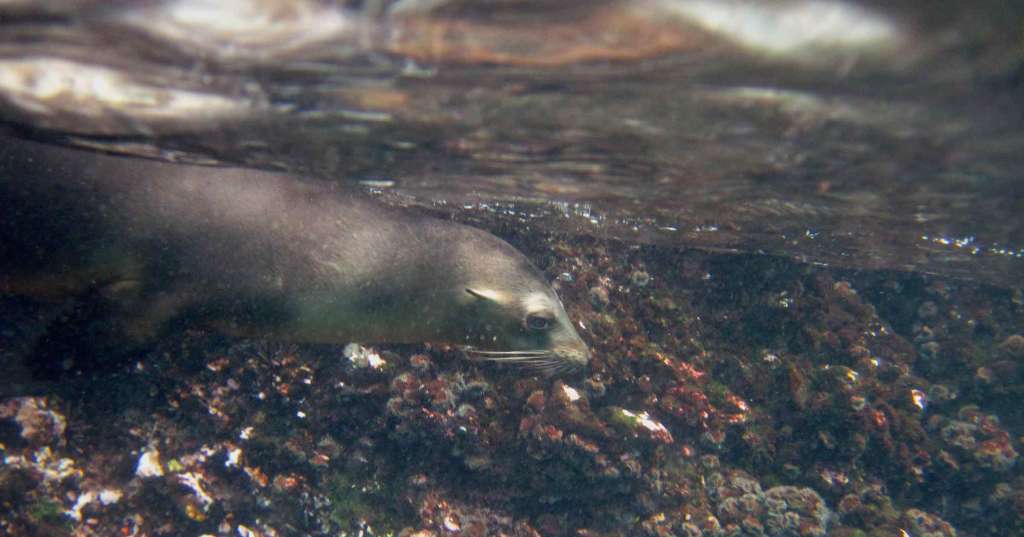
column 510, row 313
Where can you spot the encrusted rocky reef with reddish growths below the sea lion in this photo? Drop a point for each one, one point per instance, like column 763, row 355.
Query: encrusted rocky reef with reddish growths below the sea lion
column 727, row 396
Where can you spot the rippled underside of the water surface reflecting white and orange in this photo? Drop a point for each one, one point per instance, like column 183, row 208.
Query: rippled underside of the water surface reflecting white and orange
column 859, row 135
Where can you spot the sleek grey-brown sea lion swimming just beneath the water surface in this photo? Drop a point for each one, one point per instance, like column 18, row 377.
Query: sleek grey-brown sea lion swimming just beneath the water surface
column 257, row 254
